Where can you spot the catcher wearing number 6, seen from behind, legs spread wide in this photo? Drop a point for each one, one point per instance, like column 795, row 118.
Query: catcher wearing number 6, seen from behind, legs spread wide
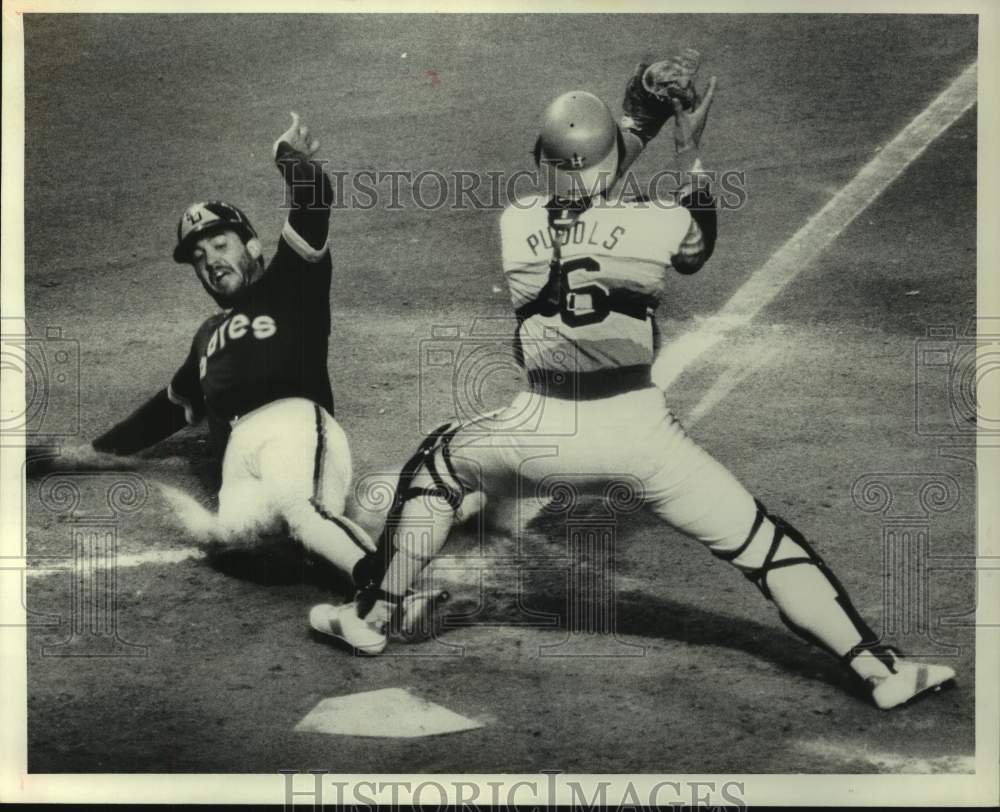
column 587, row 336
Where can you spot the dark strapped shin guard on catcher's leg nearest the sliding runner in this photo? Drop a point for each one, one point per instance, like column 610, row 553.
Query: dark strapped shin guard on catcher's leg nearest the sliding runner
column 428, row 473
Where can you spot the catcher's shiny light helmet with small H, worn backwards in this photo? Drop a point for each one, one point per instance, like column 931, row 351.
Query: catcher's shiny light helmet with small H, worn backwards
column 581, row 142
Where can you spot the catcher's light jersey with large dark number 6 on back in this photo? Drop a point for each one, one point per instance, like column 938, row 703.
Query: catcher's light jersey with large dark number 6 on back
column 592, row 312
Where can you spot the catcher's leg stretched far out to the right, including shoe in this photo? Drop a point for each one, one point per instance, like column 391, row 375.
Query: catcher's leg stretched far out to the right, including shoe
column 711, row 505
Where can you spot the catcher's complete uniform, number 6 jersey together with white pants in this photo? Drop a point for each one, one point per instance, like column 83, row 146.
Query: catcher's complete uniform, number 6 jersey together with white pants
column 588, row 314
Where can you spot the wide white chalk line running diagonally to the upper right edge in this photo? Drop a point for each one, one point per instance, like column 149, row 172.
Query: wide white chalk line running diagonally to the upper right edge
column 806, row 245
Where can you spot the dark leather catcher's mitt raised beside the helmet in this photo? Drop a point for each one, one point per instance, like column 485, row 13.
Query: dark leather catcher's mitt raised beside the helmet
column 650, row 91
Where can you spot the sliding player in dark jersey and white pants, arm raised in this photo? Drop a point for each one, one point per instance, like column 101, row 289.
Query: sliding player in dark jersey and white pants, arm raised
column 257, row 371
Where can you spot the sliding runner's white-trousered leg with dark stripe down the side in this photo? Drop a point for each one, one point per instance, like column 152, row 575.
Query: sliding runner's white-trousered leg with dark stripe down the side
column 308, row 473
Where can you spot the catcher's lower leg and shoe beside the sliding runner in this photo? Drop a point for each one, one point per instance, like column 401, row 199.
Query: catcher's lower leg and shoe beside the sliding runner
column 429, row 492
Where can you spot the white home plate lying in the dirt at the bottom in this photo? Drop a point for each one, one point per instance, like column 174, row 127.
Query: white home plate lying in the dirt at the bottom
column 390, row 712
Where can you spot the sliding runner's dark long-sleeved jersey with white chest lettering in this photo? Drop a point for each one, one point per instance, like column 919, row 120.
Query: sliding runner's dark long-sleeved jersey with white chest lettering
column 270, row 343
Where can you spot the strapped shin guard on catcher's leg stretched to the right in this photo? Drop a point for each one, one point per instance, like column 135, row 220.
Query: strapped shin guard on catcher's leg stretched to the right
column 774, row 544
